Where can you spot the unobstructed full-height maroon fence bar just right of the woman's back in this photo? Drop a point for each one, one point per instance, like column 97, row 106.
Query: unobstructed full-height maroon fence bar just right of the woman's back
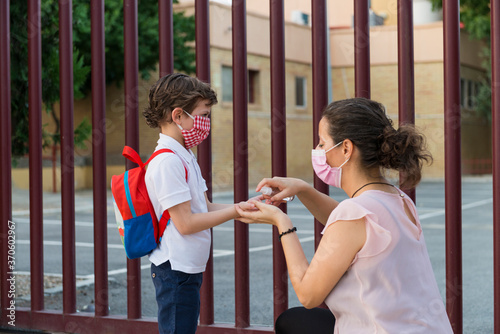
column 453, row 182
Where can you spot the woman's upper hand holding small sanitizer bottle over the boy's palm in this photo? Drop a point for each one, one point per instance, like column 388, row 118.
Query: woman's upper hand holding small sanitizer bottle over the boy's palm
column 282, row 187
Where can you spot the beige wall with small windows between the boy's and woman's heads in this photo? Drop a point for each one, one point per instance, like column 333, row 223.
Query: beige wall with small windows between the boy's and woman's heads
column 299, row 125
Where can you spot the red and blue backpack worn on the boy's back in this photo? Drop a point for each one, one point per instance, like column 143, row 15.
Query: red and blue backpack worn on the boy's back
column 138, row 225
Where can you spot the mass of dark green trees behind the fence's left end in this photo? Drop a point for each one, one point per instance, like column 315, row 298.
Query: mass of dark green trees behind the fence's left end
column 184, row 58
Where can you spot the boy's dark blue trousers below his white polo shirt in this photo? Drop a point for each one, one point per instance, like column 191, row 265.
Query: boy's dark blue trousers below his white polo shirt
column 178, row 298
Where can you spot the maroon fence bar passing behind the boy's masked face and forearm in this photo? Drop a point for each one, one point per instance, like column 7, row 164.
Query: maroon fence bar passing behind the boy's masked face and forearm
column 202, row 19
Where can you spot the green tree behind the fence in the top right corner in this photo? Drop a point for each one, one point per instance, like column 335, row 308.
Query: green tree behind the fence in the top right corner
column 475, row 15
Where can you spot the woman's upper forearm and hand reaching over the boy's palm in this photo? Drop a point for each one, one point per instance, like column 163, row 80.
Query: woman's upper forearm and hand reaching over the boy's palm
column 319, row 204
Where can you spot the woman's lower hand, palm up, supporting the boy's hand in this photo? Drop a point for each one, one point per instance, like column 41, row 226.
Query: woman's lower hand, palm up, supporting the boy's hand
column 262, row 214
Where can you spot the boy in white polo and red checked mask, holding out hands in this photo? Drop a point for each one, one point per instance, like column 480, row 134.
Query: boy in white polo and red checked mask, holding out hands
column 179, row 106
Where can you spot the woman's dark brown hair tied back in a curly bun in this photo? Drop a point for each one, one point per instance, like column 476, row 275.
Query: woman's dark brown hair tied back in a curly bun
column 366, row 124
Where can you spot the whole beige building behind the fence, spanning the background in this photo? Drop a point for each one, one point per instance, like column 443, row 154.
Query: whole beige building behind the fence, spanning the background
column 428, row 45
